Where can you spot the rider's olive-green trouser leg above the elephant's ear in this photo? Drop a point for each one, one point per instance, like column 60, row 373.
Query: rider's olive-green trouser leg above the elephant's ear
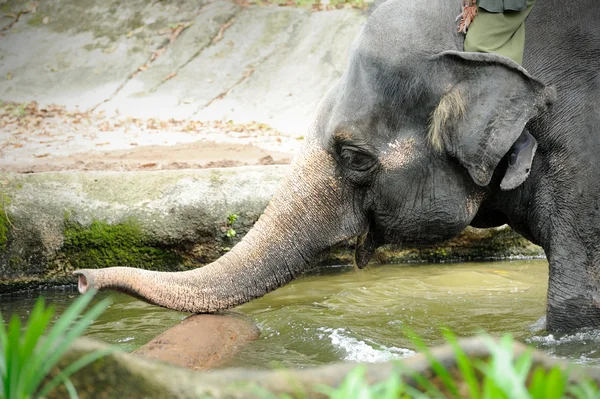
column 500, row 33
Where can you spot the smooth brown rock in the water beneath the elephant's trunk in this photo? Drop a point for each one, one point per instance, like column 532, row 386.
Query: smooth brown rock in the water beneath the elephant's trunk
column 202, row 341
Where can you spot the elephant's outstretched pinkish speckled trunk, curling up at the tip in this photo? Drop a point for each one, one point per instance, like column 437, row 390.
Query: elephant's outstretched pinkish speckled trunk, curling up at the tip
column 307, row 215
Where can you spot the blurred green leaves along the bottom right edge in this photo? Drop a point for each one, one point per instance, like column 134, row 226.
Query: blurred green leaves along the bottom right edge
column 500, row 377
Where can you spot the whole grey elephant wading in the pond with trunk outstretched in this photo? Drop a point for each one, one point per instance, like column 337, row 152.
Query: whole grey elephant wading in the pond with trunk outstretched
column 410, row 145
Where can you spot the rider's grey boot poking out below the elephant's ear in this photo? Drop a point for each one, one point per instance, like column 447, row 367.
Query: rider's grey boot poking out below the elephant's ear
column 520, row 158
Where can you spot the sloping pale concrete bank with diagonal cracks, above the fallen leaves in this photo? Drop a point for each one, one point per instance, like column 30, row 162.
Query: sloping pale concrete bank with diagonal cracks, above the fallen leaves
column 177, row 59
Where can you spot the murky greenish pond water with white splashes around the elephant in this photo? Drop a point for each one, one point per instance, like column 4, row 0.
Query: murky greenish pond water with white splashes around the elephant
column 337, row 313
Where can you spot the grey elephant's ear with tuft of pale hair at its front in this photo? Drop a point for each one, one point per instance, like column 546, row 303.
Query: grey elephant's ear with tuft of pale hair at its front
column 489, row 101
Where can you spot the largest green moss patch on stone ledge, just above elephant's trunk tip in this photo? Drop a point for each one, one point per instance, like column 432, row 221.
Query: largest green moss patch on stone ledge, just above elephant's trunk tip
column 103, row 245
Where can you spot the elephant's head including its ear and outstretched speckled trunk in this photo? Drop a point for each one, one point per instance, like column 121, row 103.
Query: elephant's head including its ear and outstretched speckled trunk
column 404, row 148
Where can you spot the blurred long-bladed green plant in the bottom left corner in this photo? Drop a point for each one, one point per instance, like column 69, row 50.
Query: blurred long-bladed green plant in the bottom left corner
column 28, row 355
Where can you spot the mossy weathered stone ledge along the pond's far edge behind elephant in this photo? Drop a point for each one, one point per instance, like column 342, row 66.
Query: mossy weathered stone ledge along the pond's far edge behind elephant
column 167, row 220
